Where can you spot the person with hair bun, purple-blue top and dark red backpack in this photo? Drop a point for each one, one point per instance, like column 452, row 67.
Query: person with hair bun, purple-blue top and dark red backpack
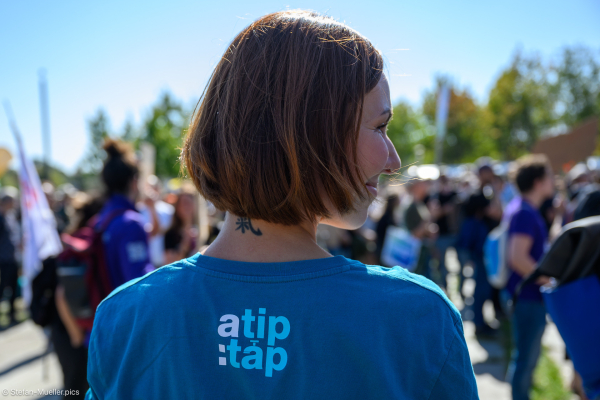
column 109, row 249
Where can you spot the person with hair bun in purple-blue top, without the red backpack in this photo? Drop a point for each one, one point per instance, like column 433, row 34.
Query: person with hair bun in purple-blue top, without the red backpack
column 125, row 239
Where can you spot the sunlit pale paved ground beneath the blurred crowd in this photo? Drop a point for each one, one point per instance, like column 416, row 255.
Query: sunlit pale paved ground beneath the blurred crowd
column 26, row 365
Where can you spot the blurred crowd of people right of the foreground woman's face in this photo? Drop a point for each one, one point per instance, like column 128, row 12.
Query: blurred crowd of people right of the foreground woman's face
column 532, row 203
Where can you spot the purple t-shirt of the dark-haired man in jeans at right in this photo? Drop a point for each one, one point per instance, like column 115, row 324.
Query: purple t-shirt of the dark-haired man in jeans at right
column 526, row 220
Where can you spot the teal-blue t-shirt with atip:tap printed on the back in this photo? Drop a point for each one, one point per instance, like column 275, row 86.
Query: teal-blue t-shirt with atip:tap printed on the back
column 330, row 328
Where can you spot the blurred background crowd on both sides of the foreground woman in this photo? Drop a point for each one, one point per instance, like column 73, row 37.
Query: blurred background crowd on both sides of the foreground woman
column 149, row 228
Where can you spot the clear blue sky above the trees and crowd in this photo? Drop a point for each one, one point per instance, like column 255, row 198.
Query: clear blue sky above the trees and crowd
column 120, row 55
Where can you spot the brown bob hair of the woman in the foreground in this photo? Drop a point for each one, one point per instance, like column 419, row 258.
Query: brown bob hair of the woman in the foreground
column 278, row 122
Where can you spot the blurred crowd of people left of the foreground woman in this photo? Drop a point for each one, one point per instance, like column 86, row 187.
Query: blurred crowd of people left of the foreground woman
column 142, row 225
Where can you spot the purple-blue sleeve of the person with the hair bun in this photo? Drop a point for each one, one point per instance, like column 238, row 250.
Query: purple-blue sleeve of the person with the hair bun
column 133, row 251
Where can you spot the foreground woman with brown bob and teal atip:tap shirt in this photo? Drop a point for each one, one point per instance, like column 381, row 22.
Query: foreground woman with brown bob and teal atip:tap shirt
column 289, row 133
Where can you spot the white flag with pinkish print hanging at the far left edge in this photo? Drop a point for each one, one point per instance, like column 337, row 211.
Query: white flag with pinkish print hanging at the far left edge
column 40, row 237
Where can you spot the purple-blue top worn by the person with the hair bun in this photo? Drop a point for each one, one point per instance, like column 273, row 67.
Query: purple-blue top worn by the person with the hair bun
column 125, row 241
